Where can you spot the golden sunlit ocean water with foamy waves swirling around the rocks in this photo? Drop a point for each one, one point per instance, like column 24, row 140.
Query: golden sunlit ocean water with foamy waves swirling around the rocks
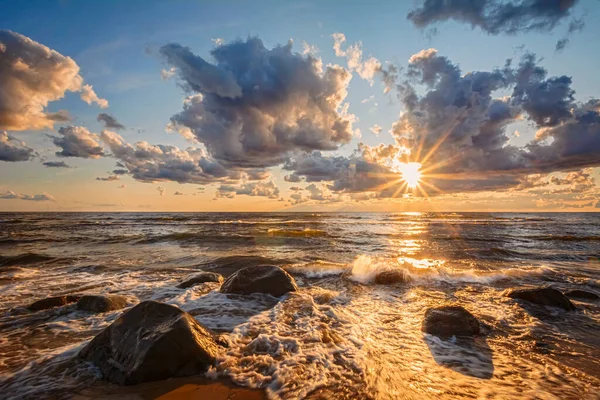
column 340, row 336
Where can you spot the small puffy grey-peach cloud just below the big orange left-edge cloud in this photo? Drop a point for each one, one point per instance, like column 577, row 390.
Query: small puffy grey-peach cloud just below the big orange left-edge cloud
column 77, row 141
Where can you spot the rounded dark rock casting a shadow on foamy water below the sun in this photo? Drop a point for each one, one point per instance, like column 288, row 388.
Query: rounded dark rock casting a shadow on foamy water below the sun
column 450, row 321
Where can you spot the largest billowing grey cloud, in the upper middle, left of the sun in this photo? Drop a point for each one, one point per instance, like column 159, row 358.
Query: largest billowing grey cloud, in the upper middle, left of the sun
column 255, row 106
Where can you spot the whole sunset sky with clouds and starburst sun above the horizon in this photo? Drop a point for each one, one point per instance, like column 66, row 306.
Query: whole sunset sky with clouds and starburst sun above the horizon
column 434, row 105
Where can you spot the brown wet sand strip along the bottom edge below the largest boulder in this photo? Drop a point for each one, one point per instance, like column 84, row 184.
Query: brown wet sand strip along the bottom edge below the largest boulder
column 190, row 388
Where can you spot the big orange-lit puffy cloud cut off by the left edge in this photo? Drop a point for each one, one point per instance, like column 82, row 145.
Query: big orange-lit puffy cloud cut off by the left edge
column 31, row 76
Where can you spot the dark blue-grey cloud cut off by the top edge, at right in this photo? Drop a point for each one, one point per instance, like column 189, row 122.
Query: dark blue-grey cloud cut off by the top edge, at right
column 495, row 16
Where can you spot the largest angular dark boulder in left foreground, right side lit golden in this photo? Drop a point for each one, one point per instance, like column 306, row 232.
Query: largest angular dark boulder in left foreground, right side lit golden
column 152, row 341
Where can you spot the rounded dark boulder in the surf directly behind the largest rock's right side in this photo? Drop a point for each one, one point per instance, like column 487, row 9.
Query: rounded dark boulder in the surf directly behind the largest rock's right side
column 260, row 279
